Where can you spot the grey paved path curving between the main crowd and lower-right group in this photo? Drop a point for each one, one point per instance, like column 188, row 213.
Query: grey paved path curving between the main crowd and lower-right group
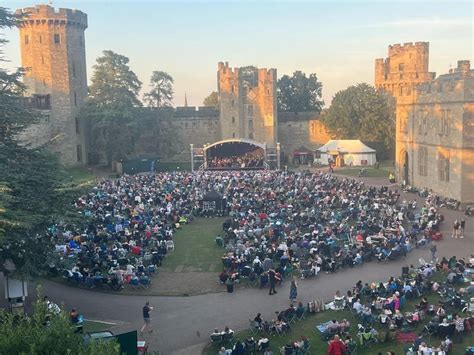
column 182, row 323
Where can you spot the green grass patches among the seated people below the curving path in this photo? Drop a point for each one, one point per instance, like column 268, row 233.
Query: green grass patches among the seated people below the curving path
column 307, row 327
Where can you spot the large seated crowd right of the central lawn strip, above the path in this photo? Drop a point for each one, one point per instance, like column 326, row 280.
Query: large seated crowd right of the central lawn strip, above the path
column 313, row 223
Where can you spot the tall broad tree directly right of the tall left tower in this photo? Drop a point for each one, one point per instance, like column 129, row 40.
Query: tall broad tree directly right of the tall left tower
column 110, row 108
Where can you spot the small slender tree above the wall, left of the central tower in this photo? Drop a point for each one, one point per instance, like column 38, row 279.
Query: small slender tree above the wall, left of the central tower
column 161, row 93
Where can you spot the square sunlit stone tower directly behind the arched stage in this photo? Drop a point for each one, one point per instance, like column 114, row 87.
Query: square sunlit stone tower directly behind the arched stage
column 247, row 100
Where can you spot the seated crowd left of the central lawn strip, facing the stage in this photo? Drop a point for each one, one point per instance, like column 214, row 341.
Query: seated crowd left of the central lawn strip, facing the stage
column 129, row 229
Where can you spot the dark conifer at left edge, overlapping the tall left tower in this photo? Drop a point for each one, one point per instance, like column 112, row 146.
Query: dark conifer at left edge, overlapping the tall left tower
column 33, row 189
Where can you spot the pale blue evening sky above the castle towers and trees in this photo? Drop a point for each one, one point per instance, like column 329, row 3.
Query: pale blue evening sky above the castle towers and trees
column 338, row 40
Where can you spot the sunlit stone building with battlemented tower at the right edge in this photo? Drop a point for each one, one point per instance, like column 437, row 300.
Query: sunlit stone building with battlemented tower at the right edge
column 435, row 124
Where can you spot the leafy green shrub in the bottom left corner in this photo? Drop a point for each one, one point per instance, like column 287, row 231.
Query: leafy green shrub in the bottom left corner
column 46, row 332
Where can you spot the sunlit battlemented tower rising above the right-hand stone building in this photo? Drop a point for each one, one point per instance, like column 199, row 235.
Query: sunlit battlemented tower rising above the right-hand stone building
column 405, row 67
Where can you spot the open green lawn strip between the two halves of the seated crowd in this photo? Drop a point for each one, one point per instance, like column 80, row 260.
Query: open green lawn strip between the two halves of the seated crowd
column 195, row 247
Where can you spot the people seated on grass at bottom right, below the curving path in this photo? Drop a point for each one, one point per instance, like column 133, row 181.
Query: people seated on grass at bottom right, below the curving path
column 379, row 314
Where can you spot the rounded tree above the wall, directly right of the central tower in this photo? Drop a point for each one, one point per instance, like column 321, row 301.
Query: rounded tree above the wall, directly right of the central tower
column 299, row 93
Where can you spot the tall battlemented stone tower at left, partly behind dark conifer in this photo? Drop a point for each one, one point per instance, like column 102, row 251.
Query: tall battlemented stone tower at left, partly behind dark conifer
column 53, row 53
